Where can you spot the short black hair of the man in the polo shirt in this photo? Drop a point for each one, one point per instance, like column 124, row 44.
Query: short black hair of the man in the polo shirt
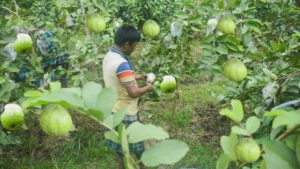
column 126, row 33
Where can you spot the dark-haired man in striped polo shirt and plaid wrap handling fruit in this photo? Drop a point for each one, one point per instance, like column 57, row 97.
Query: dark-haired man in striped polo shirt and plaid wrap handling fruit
column 119, row 73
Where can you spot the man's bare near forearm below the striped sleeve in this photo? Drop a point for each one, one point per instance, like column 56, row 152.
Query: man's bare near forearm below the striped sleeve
column 134, row 91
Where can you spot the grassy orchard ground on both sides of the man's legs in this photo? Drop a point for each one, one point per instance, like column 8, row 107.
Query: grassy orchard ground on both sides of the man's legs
column 190, row 115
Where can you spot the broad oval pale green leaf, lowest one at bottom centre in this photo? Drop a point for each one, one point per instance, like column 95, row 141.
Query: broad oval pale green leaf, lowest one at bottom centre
column 164, row 152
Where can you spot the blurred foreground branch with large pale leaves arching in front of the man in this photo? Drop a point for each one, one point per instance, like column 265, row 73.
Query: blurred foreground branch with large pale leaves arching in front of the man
column 97, row 103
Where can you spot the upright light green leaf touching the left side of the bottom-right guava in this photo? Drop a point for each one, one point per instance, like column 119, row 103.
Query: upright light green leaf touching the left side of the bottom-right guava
column 228, row 144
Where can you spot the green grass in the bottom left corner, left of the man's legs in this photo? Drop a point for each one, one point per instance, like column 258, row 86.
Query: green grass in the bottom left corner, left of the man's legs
column 84, row 150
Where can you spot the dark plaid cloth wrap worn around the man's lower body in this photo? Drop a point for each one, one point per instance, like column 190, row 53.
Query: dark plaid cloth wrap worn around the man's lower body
column 134, row 148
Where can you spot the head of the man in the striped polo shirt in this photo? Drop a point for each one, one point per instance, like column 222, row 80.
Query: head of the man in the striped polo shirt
column 126, row 38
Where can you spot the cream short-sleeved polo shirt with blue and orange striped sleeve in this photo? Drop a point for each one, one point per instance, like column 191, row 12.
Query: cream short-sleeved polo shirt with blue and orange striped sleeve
column 117, row 72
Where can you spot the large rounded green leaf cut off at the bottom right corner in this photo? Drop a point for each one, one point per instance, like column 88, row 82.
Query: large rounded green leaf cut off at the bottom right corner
column 276, row 150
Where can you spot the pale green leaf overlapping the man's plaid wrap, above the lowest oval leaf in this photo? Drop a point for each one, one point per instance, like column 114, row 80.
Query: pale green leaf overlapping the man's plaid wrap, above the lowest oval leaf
column 139, row 132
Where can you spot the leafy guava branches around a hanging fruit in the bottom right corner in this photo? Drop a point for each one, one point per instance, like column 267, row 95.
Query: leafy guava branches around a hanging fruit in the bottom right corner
column 276, row 131
